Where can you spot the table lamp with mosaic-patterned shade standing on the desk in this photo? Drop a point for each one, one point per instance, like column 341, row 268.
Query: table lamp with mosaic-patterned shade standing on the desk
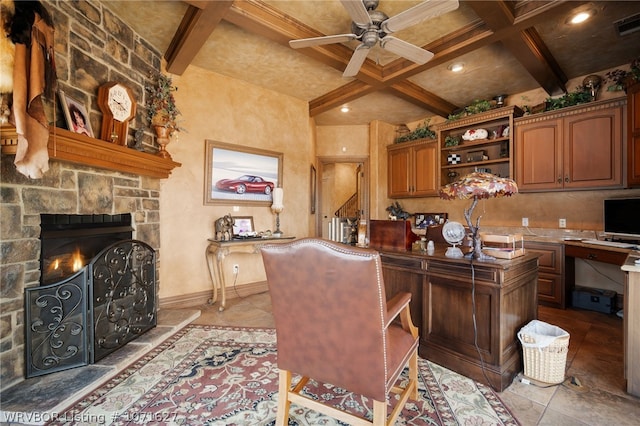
column 478, row 185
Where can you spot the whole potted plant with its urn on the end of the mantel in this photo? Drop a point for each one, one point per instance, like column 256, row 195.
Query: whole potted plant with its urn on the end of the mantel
column 162, row 111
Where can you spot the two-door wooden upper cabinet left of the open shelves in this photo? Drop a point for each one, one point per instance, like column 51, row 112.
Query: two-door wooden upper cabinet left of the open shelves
column 412, row 169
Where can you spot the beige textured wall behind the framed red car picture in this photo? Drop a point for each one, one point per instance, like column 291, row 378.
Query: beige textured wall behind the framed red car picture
column 227, row 110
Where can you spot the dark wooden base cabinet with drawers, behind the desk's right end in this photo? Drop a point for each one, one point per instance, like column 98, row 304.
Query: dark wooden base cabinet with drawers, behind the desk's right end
column 551, row 282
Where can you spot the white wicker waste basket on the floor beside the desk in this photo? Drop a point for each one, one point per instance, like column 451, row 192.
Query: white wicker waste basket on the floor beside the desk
column 544, row 348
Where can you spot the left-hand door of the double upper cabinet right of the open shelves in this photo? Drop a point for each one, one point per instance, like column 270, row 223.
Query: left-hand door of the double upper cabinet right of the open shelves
column 539, row 155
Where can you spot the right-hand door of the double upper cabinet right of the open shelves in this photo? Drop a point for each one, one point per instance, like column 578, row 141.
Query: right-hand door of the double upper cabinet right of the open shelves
column 593, row 149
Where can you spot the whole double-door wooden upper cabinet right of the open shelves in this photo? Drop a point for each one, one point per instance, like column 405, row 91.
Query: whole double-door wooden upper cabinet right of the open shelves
column 573, row 148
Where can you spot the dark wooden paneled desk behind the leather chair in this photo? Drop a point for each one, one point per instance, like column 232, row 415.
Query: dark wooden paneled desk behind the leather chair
column 443, row 294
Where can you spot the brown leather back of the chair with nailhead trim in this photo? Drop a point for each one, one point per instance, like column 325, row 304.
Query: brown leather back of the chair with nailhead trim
column 329, row 308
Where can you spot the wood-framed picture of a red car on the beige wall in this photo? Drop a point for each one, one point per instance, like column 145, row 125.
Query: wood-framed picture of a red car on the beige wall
column 239, row 175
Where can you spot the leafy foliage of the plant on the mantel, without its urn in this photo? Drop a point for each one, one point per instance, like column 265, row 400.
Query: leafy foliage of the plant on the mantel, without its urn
column 161, row 104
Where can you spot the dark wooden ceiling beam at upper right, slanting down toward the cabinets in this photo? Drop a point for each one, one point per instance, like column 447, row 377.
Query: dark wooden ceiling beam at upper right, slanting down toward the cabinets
column 527, row 47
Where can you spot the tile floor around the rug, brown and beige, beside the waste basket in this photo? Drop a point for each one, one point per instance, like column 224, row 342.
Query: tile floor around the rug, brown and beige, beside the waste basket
column 595, row 358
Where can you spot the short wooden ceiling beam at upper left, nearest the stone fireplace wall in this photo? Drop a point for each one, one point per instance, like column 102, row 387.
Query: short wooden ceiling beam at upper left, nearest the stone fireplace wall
column 197, row 24
